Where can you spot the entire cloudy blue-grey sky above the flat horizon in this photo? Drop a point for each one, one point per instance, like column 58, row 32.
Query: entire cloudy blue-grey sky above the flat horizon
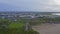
column 30, row 5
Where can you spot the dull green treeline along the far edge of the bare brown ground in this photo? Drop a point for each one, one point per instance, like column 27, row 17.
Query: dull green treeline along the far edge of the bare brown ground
column 40, row 20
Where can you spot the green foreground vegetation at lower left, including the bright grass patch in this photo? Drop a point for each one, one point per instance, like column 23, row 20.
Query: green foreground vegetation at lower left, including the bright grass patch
column 14, row 28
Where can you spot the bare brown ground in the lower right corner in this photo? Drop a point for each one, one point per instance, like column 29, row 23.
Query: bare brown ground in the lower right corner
column 48, row 28
